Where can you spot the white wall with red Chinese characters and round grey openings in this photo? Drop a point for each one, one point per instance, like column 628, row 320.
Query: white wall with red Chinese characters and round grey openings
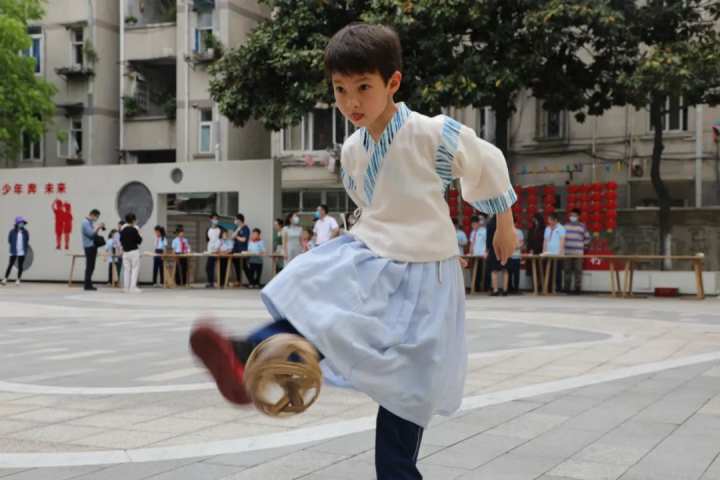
column 257, row 183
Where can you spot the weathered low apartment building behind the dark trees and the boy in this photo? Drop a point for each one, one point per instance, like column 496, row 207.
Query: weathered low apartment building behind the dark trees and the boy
column 545, row 148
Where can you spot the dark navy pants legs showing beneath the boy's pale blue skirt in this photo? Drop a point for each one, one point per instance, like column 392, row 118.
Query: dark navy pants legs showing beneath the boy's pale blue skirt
column 397, row 441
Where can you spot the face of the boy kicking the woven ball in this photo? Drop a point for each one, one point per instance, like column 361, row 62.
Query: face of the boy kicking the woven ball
column 363, row 98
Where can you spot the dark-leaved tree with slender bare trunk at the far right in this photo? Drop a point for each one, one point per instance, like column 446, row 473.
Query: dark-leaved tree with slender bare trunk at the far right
column 679, row 59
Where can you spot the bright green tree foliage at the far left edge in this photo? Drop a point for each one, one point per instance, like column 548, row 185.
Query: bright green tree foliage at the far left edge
column 26, row 105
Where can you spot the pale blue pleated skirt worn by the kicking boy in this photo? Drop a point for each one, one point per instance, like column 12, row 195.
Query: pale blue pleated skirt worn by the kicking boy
column 393, row 330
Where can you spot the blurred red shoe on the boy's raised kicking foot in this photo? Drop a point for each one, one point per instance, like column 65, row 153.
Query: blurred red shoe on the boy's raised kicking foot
column 216, row 352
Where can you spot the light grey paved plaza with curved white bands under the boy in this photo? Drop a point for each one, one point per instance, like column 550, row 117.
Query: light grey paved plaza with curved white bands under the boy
column 102, row 386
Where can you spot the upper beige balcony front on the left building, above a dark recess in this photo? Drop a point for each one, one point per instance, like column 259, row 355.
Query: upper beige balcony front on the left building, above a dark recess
column 152, row 43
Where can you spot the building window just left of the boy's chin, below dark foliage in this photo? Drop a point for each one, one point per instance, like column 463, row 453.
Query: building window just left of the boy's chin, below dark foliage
column 319, row 130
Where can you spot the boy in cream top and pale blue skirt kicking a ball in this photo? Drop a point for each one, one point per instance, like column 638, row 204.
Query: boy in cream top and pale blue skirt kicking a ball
column 399, row 334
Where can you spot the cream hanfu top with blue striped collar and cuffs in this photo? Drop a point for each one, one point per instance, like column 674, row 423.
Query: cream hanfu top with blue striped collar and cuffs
column 399, row 184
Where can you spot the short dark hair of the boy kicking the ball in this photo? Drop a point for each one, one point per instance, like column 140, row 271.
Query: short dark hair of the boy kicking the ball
column 363, row 48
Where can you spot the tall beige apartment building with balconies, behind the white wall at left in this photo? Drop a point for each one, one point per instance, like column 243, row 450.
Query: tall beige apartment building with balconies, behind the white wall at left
column 132, row 82
